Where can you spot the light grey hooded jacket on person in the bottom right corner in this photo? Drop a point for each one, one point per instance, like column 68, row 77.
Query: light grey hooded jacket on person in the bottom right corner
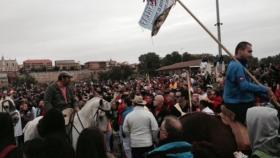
column 263, row 125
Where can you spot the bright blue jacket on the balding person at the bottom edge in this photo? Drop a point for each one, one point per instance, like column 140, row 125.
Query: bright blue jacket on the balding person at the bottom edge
column 179, row 149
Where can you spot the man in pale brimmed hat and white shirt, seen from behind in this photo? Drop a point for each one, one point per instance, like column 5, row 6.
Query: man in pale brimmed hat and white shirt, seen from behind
column 142, row 127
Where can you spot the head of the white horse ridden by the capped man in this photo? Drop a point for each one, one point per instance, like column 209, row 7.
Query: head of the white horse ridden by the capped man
column 97, row 111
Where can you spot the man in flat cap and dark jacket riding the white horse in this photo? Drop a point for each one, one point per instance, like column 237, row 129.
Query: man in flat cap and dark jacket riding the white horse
column 60, row 95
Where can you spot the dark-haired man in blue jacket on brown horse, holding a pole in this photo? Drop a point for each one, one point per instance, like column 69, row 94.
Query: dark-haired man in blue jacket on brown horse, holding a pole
column 239, row 91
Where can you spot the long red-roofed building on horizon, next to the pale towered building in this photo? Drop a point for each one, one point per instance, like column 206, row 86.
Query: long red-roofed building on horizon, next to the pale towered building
column 37, row 64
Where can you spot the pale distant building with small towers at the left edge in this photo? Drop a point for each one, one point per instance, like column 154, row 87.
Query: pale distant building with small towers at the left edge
column 8, row 65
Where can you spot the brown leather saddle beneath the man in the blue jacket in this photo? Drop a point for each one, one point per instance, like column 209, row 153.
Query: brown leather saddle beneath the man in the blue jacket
column 239, row 131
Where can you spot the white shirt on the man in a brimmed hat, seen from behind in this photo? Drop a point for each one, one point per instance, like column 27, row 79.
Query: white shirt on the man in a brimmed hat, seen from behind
column 141, row 126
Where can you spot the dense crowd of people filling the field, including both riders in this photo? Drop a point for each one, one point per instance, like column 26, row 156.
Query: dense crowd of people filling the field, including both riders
column 145, row 114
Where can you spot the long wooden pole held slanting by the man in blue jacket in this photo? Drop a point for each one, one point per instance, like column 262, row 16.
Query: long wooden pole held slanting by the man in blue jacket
column 220, row 44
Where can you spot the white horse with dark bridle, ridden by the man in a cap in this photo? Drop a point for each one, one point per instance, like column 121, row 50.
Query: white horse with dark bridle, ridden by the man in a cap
column 92, row 114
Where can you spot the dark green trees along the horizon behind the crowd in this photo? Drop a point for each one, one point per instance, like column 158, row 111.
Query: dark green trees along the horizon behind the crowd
column 150, row 62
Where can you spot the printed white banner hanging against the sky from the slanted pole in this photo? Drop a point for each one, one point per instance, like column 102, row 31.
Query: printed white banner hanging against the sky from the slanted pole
column 155, row 14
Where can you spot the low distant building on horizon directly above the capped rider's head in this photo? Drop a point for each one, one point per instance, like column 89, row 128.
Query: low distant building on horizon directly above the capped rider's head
column 67, row 65
